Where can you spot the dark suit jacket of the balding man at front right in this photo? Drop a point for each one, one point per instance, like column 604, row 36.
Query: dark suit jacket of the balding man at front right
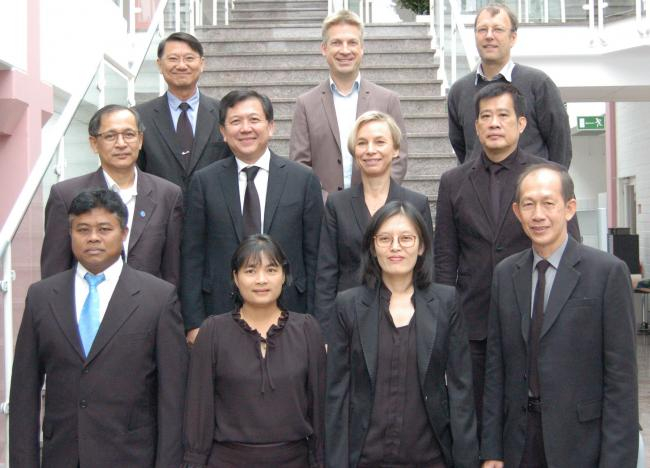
column 587, row 362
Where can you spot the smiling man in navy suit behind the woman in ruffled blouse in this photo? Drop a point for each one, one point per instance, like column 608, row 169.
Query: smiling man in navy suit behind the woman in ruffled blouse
column 254, row 191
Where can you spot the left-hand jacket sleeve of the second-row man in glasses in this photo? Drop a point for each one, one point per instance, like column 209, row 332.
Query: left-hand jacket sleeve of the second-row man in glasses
column 56, row 254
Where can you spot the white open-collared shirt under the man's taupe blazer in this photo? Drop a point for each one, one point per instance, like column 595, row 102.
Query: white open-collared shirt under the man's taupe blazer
column 345, row 106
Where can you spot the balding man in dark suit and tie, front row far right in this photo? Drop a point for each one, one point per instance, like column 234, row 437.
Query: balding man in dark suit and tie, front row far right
column 561, row 379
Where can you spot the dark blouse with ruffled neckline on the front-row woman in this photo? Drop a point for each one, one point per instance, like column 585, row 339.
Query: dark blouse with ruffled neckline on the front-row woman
column 236, row 395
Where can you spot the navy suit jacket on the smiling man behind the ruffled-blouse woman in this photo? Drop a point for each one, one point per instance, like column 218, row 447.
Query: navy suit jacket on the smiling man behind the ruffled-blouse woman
column 214, row 229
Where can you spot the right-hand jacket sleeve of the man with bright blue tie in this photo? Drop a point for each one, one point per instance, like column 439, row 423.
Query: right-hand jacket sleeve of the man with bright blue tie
column 171, row 366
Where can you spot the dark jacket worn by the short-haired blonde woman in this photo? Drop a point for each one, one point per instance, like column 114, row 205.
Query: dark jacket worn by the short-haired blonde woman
column 344, row 224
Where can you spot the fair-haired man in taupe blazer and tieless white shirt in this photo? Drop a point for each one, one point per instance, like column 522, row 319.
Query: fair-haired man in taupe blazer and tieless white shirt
column 325, row 115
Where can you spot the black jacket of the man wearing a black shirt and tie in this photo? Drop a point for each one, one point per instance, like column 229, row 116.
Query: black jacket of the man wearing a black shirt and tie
column 468, row 245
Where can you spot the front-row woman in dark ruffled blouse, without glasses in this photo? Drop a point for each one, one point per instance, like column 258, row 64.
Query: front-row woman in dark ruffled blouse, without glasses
column 256, row 383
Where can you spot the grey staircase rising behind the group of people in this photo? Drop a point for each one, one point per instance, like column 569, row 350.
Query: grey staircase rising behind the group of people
column 274, row 48
